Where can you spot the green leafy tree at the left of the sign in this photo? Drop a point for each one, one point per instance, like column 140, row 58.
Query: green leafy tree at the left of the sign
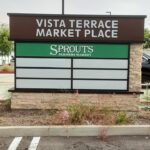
column 6, row 46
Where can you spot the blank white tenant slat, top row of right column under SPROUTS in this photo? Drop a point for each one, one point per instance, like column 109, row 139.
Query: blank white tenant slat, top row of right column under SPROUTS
column 100, row 63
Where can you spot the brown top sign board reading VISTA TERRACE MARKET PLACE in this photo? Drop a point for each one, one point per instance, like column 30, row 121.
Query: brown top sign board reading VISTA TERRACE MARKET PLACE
column 80, row 28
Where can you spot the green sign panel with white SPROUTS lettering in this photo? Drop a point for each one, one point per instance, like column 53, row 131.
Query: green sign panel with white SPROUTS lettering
column 72, row 50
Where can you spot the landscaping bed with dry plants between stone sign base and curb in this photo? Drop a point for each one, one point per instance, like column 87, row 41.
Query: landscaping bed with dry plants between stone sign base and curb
column 74, row 115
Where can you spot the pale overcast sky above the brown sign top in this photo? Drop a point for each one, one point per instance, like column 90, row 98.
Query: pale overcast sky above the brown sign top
column 94, row 7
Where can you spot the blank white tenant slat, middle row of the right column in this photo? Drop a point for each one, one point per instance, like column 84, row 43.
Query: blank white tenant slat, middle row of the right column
column 100, row 74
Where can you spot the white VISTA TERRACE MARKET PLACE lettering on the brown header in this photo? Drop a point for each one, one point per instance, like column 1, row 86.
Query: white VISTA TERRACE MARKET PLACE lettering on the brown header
column 57, row 28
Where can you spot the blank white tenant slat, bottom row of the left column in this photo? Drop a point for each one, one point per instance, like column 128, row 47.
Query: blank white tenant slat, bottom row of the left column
column 43, row 84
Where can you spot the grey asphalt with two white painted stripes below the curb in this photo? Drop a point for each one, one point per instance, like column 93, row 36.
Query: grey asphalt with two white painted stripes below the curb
column 76, row 143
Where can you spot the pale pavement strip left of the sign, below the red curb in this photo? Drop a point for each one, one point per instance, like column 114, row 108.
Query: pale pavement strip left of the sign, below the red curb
column 6, row 82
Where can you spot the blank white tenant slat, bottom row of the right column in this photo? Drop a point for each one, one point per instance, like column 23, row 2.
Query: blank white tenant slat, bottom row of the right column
column 100, row 85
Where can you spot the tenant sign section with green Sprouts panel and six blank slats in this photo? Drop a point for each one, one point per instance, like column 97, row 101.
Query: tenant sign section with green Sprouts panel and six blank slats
column 72, row 66
